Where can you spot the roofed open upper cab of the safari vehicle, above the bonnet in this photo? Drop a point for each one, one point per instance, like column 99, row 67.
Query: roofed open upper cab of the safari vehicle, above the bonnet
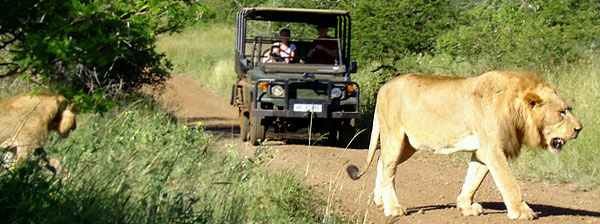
column 291, row 40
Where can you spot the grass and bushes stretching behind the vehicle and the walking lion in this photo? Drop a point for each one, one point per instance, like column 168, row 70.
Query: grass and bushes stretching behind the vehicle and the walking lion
column 458, row 39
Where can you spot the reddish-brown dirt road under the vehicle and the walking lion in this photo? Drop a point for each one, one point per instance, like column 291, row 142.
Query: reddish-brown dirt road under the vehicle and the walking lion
column 427, row 185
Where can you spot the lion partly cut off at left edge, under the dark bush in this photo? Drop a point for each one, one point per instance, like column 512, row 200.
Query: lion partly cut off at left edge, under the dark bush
column 25, row 121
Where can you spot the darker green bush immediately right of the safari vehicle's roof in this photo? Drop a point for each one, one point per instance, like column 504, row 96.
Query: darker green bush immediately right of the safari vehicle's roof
column 391, row 29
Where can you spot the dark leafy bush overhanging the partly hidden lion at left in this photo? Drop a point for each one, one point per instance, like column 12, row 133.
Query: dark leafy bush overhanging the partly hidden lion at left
column 90, row 46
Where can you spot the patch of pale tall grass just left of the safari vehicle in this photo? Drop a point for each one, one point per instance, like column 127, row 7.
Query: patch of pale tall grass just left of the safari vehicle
column 205, row 54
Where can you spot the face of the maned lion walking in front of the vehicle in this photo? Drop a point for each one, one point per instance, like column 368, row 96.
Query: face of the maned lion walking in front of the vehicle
column 556, row 121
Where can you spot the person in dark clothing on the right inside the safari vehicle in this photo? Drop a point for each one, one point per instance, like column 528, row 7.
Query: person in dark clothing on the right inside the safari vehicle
column 324, row 50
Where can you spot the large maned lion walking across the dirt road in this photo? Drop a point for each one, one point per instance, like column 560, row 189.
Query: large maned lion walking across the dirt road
column 490, row 116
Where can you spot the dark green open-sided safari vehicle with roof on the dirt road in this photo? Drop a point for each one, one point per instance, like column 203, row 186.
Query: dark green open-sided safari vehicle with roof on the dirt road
column 291, row 99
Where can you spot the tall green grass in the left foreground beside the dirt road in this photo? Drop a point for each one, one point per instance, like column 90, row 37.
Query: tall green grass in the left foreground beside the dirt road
column 137, row 164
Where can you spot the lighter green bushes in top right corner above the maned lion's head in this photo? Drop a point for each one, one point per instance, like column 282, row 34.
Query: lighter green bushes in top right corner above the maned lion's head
column 530, row 34
